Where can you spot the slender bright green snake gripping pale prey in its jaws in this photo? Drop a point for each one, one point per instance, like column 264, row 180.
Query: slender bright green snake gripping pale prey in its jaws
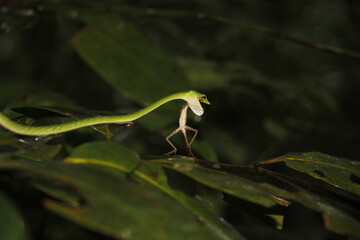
column 193, row 99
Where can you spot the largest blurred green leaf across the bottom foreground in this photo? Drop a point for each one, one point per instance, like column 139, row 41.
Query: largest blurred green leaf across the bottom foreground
column 118, row 208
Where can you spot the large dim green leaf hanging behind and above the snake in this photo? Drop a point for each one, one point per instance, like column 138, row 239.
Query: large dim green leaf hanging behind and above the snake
column 127, row 59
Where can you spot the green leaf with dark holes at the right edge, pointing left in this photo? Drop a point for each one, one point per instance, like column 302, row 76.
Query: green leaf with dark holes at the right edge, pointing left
column 339, row 172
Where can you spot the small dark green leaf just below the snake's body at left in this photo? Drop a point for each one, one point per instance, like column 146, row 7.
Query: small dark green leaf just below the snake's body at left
column 38, row 153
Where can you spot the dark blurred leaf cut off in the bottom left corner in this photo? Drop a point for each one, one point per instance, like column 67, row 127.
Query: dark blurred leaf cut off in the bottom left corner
column 12, row 224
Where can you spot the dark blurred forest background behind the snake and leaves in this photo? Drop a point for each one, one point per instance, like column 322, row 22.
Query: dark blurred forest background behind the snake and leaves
column 269, row 96
